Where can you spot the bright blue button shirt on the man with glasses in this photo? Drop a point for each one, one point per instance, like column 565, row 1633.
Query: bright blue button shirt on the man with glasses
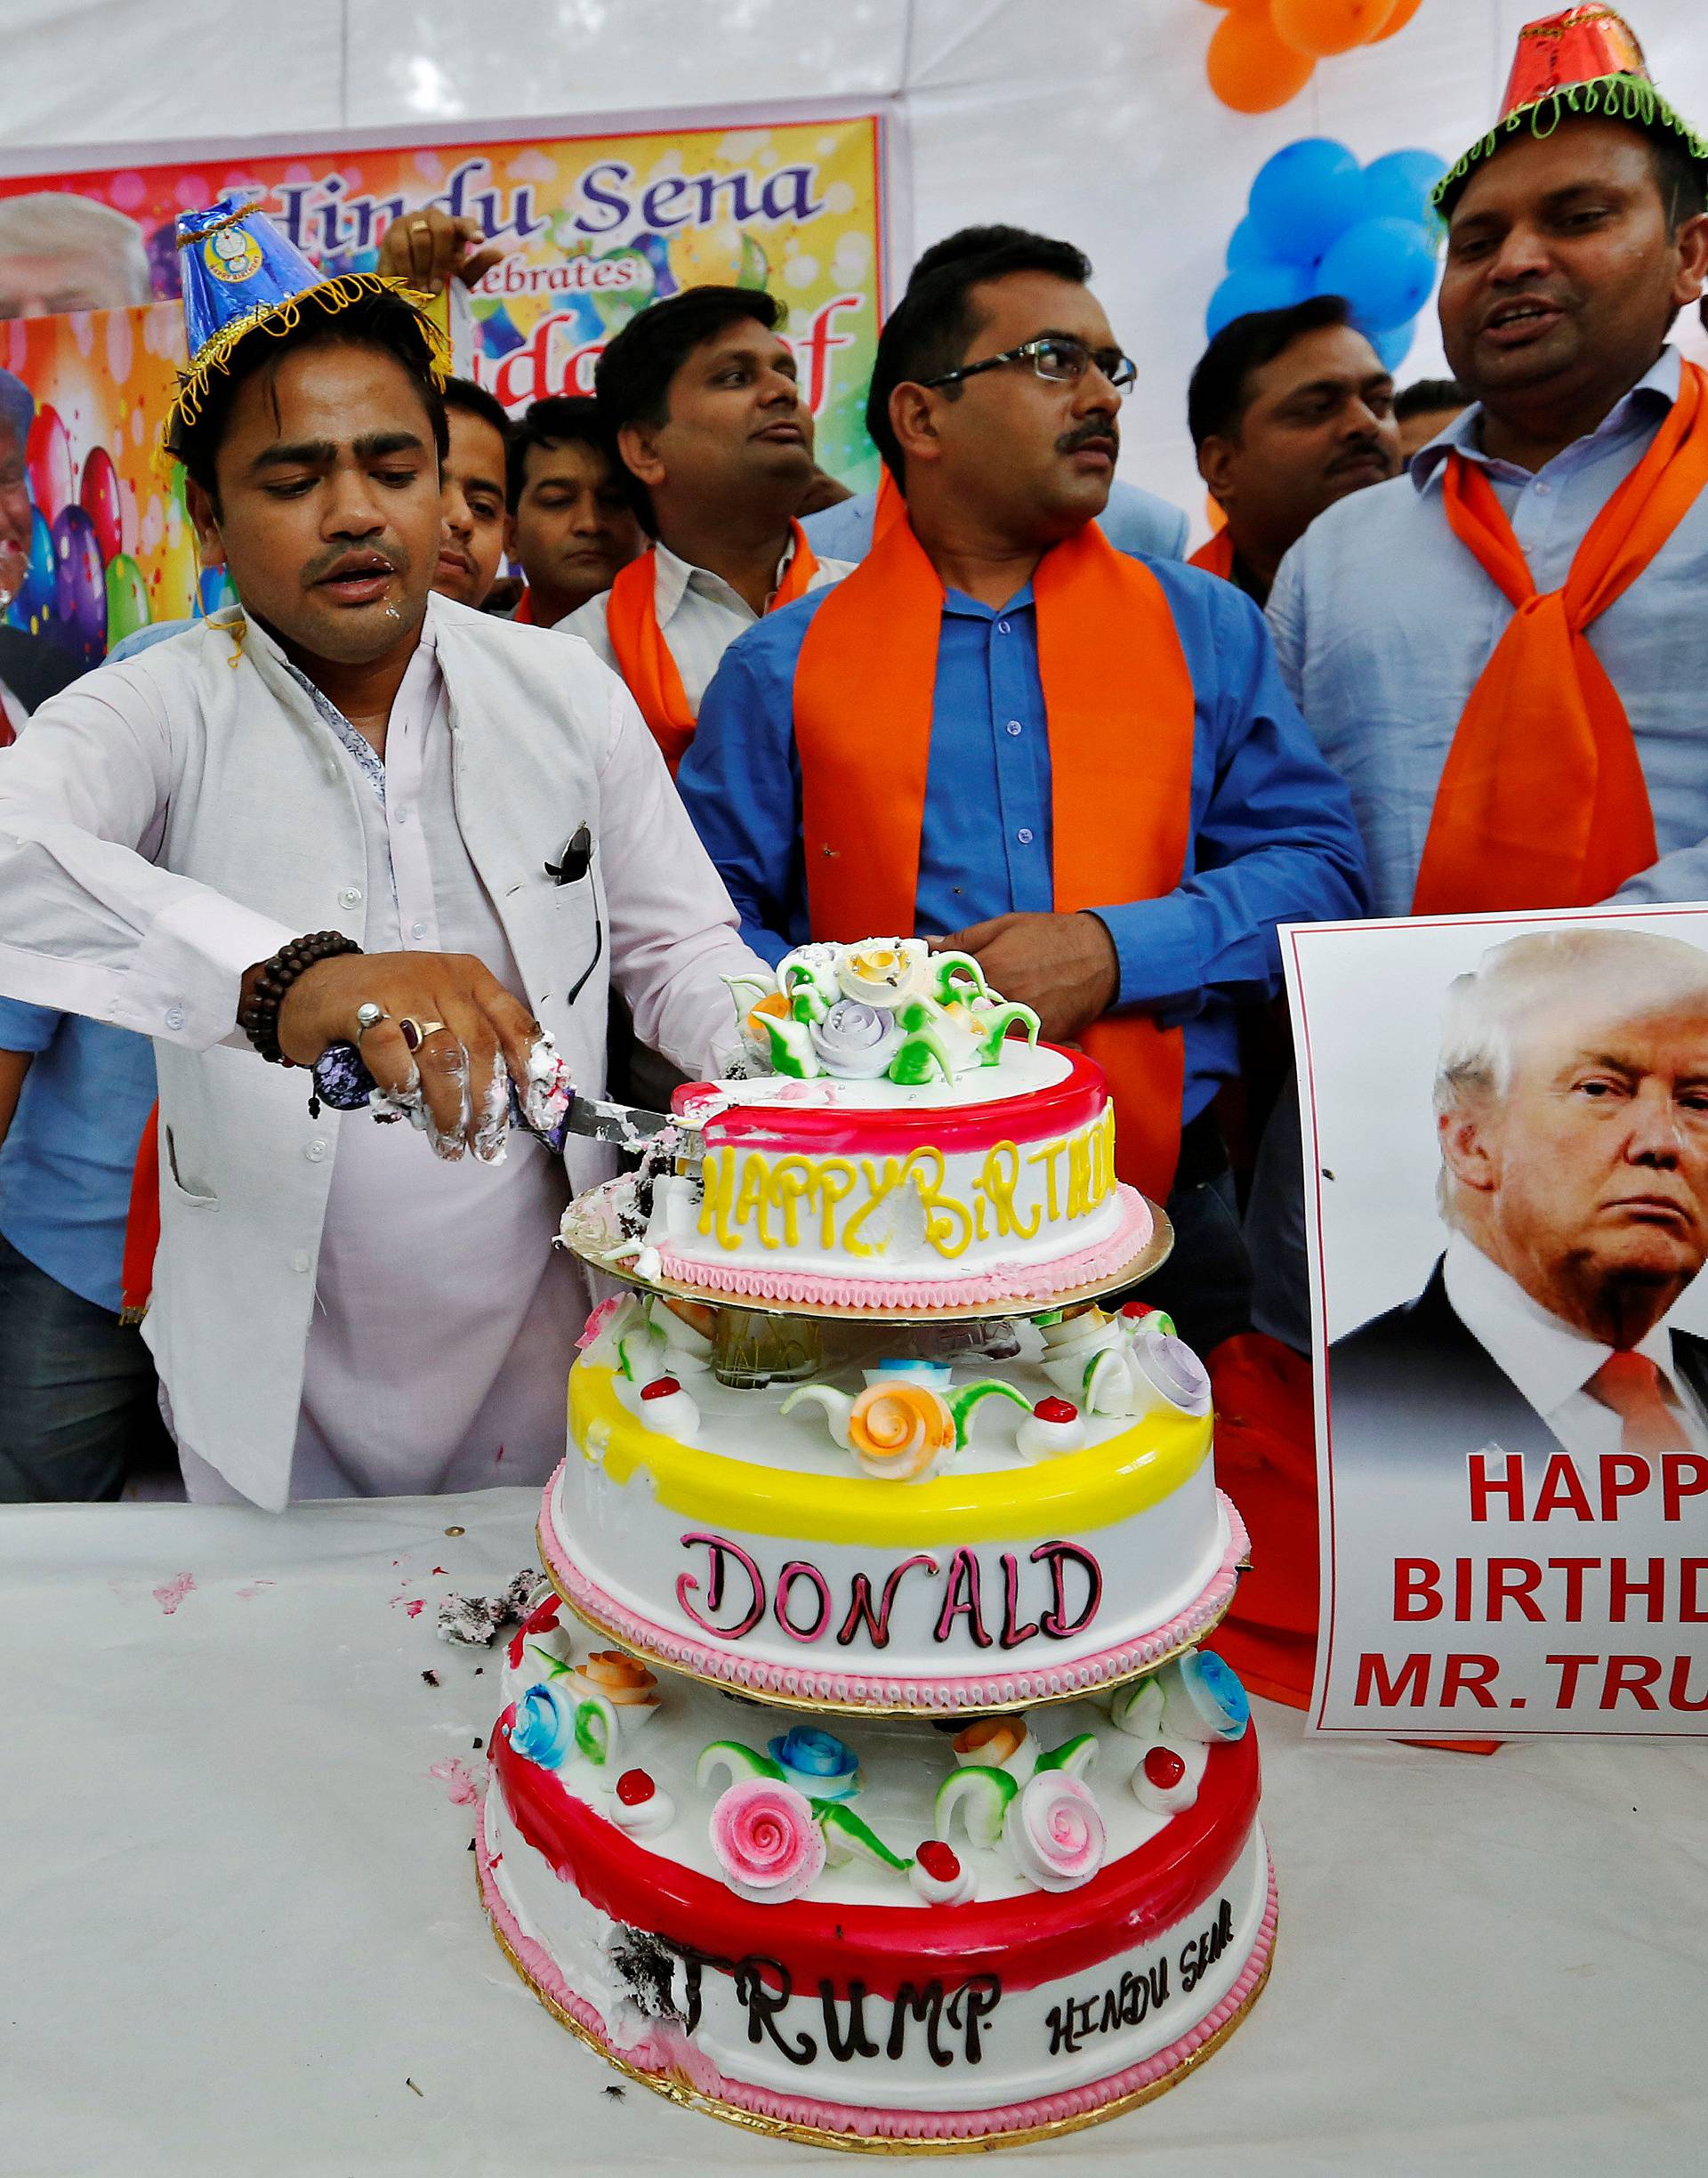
column 1271, row 827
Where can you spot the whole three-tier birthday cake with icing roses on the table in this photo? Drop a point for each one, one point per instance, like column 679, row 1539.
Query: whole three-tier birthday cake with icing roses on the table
column 864, row 1452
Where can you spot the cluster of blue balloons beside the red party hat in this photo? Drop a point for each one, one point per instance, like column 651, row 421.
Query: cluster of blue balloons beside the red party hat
column 1317, row 223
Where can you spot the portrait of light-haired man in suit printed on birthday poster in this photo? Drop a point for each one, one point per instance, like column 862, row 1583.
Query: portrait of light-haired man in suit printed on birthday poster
column 1572, row 1116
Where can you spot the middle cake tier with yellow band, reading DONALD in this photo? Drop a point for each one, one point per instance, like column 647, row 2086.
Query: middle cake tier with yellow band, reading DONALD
column 903, row 1532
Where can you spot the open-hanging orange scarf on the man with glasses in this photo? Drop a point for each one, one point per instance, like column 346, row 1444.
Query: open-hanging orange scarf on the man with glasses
column 1121, row 768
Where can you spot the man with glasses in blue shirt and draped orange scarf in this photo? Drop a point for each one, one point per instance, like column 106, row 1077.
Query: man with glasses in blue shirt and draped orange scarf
column 1077, row 766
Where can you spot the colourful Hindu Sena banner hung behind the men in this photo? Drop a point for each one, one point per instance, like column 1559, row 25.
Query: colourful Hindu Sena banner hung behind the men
column 596, row 225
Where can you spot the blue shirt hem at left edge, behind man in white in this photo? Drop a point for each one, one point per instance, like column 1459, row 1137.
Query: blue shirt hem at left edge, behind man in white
column 73, row 1145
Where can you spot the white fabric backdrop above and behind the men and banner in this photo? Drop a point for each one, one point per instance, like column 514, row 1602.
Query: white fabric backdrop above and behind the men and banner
column 1088, row 121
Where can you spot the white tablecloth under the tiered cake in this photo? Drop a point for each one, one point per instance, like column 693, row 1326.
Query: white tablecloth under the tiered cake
column 239, row 1911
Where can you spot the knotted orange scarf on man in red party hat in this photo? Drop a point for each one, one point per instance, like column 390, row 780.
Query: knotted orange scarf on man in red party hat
column 1544, row 800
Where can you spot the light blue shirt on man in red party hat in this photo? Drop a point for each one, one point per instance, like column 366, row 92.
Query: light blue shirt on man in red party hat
column 1382, row 624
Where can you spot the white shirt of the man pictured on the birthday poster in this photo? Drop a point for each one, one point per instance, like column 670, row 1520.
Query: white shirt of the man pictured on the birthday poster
column 1550, row 1362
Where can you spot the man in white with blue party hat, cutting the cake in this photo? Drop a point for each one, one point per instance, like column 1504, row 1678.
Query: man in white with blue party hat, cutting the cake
column 350, row 811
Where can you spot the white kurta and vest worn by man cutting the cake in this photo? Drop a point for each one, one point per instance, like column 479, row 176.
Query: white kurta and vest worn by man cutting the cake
column 337, row 1310
